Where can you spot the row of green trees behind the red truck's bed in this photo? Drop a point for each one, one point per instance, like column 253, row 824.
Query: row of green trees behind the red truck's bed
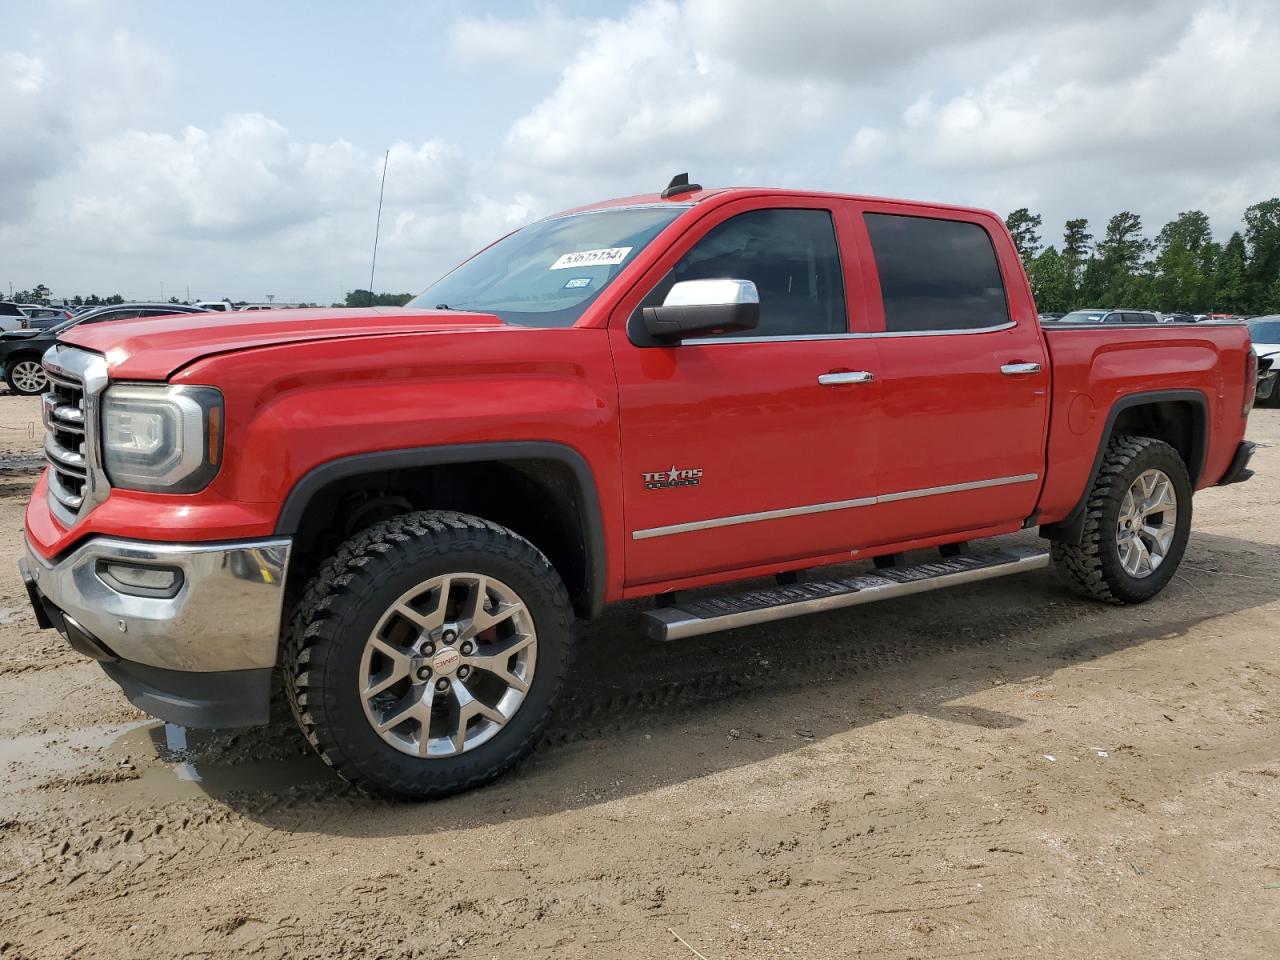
column 1182, row 271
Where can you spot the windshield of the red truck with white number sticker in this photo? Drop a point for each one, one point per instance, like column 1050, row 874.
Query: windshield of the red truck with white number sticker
column 552, row 271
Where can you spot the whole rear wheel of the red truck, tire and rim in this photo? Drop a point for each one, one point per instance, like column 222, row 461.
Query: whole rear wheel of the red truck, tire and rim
column 1137, row 523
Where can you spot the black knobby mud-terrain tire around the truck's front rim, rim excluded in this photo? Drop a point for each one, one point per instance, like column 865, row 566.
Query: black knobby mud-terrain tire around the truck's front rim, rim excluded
column 350, row 598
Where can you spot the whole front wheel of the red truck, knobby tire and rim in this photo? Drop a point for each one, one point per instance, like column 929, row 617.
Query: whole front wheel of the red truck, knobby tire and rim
column 428, row 655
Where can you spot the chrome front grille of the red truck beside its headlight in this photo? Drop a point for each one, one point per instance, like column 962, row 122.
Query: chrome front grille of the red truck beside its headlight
column 76, row 481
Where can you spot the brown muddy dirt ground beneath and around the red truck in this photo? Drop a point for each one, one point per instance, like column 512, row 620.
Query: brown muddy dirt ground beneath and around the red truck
column 1003, row 771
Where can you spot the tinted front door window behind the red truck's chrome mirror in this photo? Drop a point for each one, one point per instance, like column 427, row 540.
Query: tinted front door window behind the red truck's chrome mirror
column 793, row 259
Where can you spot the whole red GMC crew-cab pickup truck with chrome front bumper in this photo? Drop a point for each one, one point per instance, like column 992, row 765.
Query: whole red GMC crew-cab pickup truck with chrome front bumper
column 408, row 510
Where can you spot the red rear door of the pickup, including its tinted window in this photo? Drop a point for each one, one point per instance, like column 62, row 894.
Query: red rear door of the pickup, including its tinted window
column 963, row 372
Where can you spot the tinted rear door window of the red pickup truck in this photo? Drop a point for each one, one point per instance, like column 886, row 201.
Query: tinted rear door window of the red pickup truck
column 936, row 275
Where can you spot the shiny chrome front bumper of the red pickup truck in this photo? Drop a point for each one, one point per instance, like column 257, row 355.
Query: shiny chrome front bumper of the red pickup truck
column 225, row 614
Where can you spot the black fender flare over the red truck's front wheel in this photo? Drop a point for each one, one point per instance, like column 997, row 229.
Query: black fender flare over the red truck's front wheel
column 385, row 461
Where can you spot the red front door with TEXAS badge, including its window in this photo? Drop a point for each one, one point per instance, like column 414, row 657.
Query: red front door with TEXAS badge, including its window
column 735, row 454
